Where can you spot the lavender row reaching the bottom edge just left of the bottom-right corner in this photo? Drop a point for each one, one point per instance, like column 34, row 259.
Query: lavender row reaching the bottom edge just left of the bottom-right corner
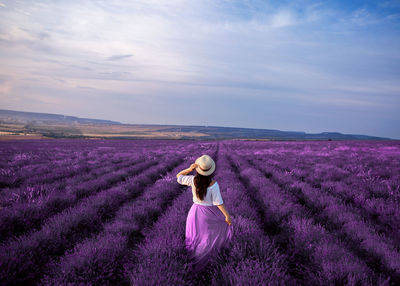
column 335, row 263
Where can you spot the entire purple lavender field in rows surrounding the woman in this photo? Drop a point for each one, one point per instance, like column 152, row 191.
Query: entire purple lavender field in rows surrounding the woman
column 110, row 212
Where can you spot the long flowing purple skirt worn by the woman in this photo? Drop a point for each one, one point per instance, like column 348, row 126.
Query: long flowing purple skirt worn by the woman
column 206, row 232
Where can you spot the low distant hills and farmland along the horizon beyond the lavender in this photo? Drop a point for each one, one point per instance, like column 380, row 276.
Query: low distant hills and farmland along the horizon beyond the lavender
column 24, row 124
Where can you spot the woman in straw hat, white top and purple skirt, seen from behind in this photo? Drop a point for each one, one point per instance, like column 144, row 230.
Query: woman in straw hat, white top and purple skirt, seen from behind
column 206, row 229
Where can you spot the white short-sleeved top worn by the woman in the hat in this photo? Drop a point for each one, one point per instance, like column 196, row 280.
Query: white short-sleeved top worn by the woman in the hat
column 213, row 196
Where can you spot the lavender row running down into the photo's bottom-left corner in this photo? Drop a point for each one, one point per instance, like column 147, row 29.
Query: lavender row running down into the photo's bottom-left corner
column 25, row 259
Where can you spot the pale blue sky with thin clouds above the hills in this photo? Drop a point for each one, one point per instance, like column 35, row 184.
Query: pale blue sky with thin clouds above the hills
column 312, row 66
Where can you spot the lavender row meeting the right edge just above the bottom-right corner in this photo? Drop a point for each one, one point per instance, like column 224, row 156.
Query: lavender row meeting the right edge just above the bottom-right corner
column 372, row 247
